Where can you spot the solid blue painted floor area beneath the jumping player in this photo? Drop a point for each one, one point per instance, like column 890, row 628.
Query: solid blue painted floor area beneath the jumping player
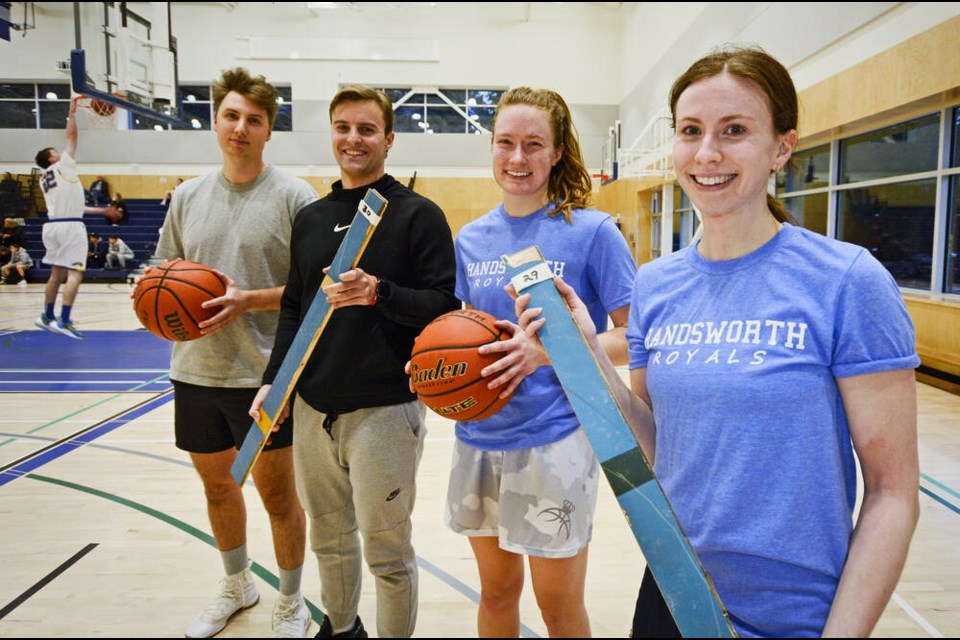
column 105, row 361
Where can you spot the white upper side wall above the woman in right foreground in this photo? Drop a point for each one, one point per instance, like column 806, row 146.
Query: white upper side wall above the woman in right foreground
column 815, row 40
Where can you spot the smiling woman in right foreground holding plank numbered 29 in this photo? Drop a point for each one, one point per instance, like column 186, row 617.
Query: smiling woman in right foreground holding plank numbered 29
column 770, row 356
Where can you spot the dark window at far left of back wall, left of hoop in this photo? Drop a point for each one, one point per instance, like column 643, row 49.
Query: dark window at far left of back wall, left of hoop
column 34, row 105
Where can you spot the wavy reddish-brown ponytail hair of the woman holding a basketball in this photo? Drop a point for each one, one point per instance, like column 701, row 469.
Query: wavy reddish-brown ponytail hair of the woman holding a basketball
column 569, row 186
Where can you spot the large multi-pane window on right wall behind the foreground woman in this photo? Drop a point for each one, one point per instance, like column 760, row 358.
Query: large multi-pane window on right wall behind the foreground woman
column 880, row 190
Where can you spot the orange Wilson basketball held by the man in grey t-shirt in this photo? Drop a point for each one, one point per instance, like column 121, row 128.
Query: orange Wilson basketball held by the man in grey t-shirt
column 168, row 297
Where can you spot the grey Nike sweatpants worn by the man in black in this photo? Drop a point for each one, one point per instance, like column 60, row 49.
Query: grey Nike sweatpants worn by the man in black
column 362, row 474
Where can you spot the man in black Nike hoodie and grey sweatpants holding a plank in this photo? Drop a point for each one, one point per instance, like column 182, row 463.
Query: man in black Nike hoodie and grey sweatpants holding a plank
column 359, row 429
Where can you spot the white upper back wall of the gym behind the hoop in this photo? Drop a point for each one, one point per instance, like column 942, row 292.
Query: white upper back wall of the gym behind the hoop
column 555, row 45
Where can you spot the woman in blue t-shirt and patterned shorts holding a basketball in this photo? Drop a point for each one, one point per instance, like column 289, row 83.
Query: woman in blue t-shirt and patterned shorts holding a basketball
column 524, row 481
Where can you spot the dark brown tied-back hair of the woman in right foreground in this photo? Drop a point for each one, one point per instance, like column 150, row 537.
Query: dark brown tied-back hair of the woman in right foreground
column 757, row 66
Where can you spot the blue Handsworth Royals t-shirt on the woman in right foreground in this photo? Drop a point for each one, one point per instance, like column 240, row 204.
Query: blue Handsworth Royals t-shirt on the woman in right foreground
column 753, row 448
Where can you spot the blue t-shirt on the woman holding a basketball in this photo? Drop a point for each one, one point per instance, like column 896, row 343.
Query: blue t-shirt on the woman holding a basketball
column 590, row 255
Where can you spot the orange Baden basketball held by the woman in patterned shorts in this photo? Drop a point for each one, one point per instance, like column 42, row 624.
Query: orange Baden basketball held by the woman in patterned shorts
column 445, row 365
